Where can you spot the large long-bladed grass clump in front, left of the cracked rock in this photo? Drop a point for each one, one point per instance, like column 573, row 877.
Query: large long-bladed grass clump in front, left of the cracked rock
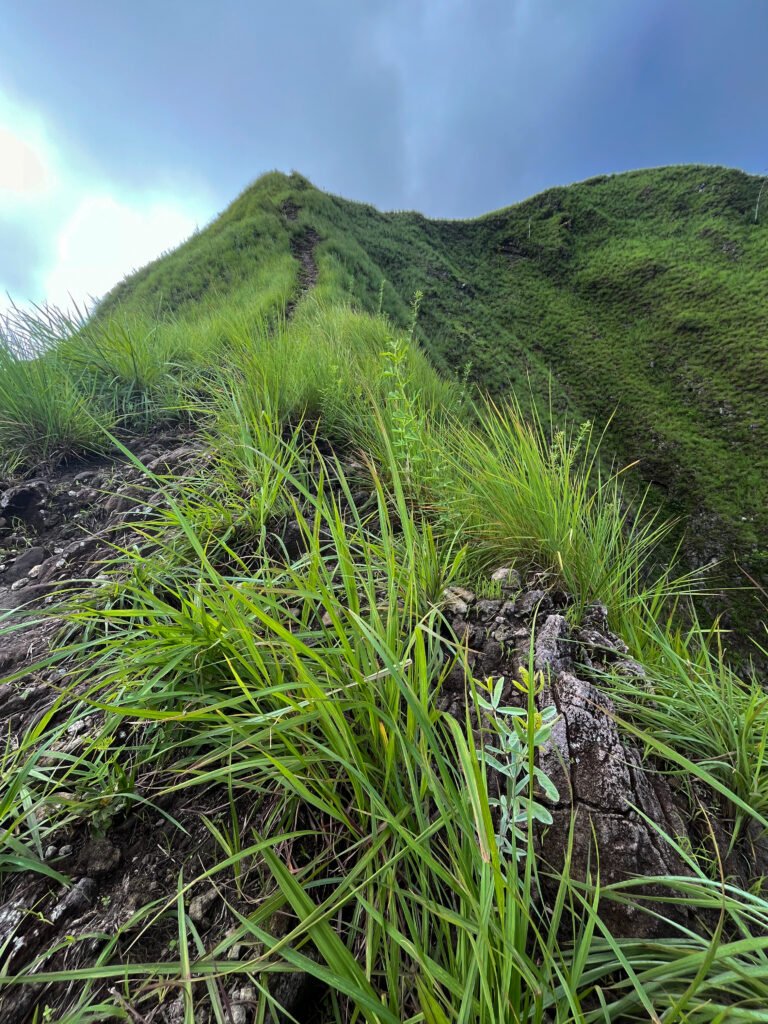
column 313, row 681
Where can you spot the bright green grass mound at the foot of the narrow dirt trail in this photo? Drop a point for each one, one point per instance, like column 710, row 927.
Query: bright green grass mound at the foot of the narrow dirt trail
column 353, row 371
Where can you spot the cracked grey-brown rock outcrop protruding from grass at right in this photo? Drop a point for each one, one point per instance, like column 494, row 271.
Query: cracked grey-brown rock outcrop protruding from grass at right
column 613, row 809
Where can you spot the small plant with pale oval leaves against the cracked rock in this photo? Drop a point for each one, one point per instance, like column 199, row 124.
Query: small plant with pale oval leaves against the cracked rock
column 520, row 733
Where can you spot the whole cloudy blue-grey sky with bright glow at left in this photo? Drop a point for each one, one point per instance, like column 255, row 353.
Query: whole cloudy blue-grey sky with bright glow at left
column 127, row 124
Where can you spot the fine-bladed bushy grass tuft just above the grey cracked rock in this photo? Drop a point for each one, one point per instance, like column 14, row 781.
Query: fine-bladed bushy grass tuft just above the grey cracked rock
column 542, row 498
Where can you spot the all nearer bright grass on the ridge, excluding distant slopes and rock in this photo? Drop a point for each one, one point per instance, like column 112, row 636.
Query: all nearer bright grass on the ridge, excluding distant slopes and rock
column 306, row 682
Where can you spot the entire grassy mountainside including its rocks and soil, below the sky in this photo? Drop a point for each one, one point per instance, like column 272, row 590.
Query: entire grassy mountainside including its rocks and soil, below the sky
column 334, row 690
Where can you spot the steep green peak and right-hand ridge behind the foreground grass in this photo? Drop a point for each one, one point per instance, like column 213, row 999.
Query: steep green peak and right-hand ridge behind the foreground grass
column 637, row 298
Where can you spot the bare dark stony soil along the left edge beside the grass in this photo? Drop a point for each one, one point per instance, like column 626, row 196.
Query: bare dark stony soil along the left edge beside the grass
column 59, row 530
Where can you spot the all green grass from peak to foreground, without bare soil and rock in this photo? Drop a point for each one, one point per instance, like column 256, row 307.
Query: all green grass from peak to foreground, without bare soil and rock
column 277, row 631
